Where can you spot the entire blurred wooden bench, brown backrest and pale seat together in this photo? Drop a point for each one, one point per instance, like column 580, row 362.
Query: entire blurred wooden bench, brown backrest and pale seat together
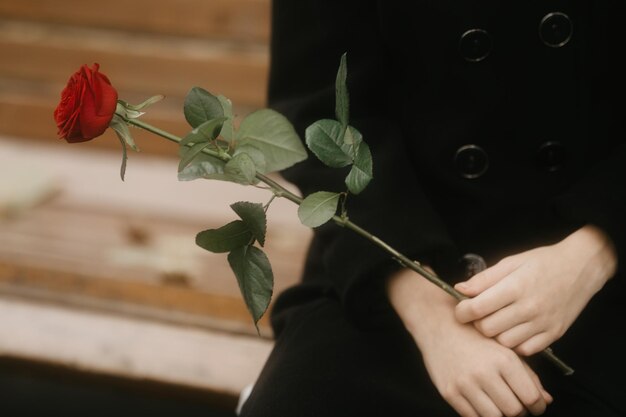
column 73, row 237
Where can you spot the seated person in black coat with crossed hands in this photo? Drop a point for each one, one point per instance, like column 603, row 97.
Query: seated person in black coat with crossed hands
column 498, row 137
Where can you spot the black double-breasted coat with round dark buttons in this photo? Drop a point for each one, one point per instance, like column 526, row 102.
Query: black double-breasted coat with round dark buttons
column 495, row 127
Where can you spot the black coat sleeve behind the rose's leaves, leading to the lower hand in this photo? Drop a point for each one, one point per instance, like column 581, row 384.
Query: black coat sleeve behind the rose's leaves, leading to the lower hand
column 309, row 37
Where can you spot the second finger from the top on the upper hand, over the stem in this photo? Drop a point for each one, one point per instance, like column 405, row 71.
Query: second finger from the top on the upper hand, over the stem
column 486, row 303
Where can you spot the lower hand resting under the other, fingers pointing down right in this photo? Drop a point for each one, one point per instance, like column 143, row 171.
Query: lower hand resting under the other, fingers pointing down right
column 475, row 375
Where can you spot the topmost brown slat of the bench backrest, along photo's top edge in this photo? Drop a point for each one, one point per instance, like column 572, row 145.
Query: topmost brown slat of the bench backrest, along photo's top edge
column 241, row 20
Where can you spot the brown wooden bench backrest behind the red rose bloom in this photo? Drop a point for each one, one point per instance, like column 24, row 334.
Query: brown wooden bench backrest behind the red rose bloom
column 146, row 47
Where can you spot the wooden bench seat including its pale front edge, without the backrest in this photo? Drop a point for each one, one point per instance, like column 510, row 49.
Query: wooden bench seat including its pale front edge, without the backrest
column 100, row 272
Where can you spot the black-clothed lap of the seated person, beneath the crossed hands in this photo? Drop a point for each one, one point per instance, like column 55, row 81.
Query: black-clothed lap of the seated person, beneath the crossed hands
column 324, row 365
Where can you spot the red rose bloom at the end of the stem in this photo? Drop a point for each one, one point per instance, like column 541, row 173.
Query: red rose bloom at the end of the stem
column 87, row 105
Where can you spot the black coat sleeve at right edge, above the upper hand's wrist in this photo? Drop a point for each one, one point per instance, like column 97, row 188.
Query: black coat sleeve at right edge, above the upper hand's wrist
column 598, row 197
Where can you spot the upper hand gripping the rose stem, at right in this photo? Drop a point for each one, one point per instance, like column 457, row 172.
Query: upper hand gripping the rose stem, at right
column 527, row 301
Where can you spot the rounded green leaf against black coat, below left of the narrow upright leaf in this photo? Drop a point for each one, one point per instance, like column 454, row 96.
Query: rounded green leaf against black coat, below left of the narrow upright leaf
column 324, row 138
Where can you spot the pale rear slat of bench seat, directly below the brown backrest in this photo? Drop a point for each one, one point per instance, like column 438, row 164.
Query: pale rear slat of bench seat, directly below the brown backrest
column 91, row 183
